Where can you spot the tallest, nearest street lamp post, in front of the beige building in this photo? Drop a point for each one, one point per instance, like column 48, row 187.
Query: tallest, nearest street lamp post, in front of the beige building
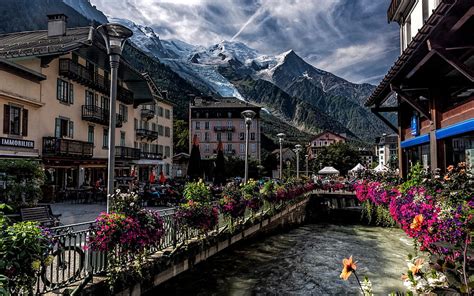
column 114, row 36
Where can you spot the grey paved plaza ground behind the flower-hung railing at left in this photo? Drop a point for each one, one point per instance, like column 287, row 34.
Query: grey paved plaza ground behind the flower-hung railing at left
column 77, row 213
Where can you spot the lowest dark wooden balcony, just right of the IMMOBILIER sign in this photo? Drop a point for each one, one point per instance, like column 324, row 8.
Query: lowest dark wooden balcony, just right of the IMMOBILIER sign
column 67, row 148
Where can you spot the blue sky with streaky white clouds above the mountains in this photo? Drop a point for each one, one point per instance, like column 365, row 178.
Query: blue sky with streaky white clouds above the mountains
column 350, row 38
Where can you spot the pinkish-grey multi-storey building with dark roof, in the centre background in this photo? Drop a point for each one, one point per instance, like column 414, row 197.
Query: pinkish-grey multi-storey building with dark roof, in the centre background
column 214, row 120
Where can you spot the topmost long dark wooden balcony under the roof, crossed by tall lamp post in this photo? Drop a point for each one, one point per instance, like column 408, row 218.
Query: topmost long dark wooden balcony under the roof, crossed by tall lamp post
column 79, row 73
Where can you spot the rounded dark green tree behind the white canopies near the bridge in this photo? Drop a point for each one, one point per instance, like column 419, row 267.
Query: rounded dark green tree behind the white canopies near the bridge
column 341, row 156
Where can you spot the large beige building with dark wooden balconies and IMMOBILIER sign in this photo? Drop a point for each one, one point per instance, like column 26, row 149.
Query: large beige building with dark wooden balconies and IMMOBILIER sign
column 54, row 88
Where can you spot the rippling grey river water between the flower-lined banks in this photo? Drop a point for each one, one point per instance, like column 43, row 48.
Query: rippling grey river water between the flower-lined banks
column 302, row 261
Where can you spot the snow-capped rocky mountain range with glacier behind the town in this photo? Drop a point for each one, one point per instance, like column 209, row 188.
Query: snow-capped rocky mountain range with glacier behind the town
column 293, row 93
